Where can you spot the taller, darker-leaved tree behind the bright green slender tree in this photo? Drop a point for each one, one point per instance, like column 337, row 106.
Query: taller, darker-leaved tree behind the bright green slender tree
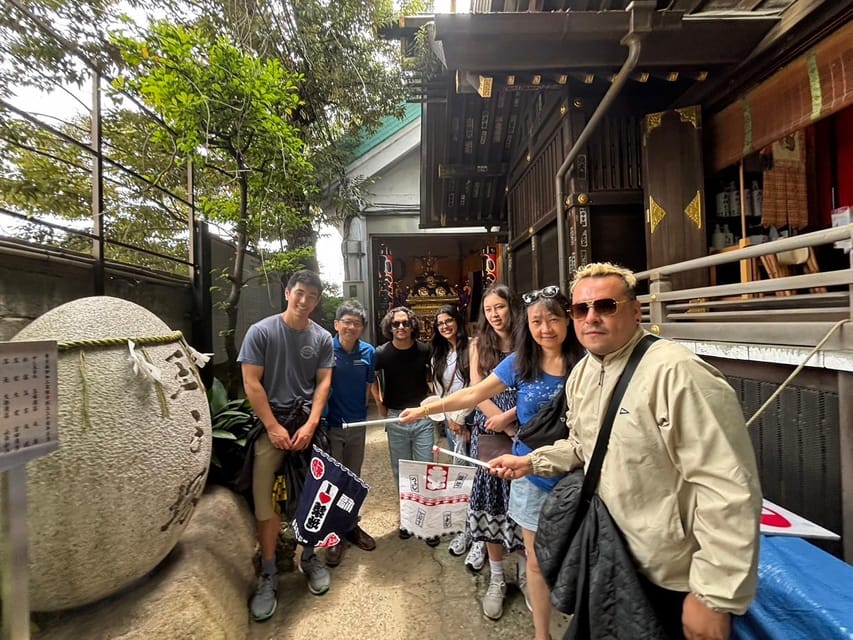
column 349, row 79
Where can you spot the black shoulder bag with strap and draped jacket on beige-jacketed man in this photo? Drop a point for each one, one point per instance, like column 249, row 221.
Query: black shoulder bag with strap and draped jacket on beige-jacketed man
column 582, row 554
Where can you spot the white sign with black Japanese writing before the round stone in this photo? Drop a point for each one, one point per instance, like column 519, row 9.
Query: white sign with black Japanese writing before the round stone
column 28, row 411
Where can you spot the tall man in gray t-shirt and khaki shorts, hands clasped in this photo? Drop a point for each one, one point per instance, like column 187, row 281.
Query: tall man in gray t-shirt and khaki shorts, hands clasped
column 284, row 358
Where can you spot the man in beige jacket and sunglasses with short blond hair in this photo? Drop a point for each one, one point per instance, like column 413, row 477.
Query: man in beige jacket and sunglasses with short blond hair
column 679, row 477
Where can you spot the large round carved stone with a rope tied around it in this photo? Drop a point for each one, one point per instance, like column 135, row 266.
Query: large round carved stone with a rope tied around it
column 111, row 502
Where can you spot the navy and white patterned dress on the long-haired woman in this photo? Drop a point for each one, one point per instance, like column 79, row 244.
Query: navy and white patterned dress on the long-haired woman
column 487, row 510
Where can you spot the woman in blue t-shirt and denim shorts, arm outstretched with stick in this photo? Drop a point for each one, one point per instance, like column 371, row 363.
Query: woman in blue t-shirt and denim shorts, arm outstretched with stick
column 546, row 350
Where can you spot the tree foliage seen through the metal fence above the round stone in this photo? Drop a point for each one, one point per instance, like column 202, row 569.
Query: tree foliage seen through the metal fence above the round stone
column 43, row 175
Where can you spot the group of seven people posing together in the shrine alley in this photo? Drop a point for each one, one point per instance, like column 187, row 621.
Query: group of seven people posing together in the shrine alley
column 679, row 477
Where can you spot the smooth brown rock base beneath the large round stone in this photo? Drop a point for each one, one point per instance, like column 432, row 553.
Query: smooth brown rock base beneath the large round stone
column 199, row 591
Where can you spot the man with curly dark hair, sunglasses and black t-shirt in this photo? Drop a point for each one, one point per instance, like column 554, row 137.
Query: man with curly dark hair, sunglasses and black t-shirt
column 403, row 364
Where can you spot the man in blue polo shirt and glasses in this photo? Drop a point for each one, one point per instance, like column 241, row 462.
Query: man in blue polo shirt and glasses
column 353, row 376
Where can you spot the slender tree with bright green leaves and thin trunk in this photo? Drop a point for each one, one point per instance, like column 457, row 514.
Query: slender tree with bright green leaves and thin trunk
column 232, row 113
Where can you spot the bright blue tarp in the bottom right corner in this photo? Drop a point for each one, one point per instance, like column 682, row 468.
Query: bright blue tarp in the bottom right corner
column 803, row 594
